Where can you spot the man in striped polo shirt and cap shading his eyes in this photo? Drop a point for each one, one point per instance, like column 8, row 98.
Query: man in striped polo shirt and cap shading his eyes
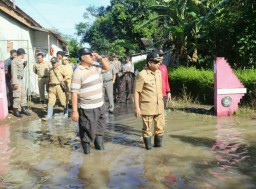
column 87, row 99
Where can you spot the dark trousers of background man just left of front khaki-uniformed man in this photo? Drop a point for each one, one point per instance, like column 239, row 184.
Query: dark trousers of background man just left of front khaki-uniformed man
column 126, row 86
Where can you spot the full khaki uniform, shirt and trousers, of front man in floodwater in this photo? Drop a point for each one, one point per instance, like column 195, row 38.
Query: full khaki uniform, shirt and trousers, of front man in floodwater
column 149, row 86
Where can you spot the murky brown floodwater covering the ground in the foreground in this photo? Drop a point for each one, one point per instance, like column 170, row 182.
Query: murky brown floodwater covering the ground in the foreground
column 199, row 151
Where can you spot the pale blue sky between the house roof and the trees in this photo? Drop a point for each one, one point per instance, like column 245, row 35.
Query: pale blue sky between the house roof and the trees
column 60, row 14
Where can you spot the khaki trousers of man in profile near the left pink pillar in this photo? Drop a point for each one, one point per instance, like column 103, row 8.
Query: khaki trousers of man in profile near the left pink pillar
column 19, row 95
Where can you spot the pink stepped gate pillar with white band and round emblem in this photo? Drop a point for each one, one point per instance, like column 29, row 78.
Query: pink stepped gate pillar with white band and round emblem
column 228, row 90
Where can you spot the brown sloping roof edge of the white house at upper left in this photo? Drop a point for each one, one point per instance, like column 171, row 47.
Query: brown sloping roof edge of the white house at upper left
column 15, row 12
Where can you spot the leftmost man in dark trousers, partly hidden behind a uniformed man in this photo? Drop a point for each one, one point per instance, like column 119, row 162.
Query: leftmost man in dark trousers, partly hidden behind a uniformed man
column 8, row 77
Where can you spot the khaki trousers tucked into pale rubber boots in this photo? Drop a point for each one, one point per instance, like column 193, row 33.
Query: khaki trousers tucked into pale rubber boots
column 54, row 92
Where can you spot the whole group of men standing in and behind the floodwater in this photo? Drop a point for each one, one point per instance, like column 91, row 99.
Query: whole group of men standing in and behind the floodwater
column 93, row 76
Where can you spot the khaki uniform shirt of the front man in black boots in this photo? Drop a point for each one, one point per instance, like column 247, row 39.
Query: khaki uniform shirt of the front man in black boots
column 149, row 86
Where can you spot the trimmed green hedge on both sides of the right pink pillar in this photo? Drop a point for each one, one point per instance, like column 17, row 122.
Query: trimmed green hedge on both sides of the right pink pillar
column 199, row 84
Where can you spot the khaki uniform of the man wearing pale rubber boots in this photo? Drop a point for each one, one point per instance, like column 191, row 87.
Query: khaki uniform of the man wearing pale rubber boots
column 55, row 88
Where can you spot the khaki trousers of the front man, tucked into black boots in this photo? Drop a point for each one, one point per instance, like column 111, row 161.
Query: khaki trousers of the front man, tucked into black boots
column 157, row 120
